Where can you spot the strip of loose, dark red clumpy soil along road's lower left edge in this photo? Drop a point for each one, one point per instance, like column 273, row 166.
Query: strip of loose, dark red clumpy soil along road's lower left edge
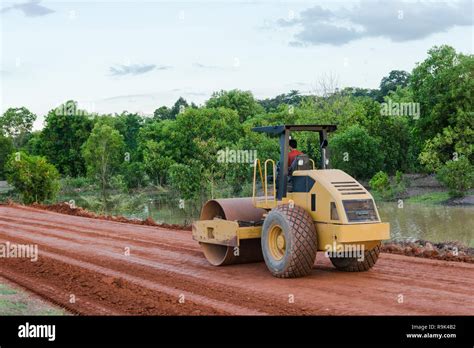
column 92, row 290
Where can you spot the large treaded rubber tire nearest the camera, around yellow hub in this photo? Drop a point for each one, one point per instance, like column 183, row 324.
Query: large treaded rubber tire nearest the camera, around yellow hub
column 301, row 242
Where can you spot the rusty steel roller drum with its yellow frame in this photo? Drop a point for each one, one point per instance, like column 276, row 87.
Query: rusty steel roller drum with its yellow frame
column 245, row 219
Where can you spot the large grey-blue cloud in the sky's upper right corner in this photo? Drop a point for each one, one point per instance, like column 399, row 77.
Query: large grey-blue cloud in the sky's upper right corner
column 396, row 20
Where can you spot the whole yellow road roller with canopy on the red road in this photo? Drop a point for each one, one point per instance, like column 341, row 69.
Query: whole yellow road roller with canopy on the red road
column 298, row 211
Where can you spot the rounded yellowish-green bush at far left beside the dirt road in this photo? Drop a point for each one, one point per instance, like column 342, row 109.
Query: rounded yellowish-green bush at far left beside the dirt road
column 35, row 178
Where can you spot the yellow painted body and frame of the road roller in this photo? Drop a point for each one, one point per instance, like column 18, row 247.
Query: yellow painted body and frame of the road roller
column 324, row 190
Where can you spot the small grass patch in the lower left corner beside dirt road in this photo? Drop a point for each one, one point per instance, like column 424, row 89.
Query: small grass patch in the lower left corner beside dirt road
column 17, row 302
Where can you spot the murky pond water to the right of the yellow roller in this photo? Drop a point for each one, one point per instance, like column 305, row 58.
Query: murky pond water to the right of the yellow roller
column 435, row 223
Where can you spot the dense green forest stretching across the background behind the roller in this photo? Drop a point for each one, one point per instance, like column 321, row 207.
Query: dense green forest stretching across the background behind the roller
column 418, row 121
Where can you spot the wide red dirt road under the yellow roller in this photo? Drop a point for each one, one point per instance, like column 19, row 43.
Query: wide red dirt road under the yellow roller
column 84, row 268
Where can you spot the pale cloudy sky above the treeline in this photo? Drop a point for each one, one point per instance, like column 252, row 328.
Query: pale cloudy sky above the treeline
column 113, row 56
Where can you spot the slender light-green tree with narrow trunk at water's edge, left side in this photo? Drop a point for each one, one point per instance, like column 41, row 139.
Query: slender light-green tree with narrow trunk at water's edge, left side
column 103, row 154
